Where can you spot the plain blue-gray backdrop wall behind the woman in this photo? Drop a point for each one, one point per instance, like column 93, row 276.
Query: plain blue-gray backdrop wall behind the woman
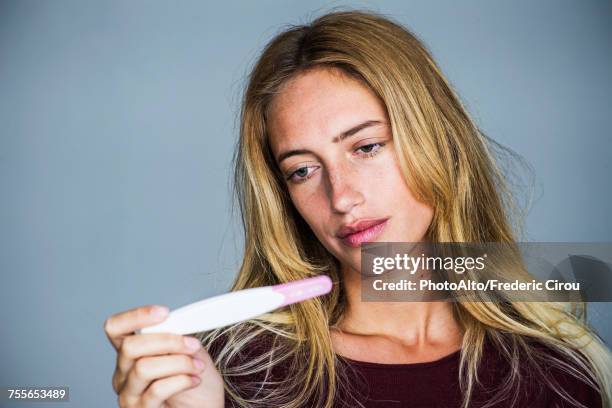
column 117, row 123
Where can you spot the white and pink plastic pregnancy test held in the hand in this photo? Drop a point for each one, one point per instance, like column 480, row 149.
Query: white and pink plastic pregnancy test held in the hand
column 233, row 307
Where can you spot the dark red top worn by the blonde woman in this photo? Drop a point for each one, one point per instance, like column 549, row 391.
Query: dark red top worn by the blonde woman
column 435, row 384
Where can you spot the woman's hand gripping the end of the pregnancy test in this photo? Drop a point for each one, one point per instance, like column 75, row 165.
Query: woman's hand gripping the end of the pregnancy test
column 160, row 370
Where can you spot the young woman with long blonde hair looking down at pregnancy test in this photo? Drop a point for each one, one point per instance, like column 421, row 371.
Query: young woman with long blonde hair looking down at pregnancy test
column 348, row 123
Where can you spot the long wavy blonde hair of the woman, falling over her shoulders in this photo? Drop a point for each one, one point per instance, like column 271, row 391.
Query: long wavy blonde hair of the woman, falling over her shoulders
column 449, row 163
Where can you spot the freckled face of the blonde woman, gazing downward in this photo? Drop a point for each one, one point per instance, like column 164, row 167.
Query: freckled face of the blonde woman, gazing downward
column 332, row 141
